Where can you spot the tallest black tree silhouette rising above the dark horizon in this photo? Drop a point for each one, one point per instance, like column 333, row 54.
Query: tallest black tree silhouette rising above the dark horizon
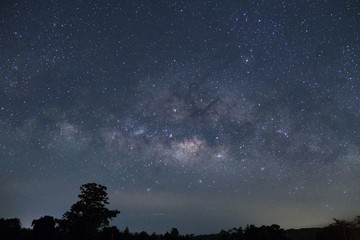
column 88, row 215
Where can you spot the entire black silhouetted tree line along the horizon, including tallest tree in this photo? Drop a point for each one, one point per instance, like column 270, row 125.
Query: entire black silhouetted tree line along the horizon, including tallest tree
column 89, row 218
